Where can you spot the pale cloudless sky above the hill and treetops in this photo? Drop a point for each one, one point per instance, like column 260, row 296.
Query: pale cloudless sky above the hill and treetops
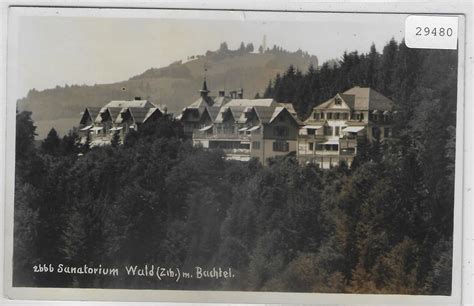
column 95, row 46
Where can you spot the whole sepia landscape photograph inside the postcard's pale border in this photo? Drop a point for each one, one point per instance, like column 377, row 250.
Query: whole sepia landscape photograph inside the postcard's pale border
column 234, row 151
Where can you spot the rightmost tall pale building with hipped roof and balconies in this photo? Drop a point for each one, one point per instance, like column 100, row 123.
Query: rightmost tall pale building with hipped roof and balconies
column 332, row 133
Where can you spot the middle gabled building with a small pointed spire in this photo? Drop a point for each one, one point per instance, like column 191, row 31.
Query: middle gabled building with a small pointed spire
column 243, row 128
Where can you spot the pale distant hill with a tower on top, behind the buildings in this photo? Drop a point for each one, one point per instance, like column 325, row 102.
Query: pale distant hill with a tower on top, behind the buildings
column 175, row 85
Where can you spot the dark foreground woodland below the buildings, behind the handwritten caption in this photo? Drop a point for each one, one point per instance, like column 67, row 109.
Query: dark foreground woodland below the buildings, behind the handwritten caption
column 383, row 226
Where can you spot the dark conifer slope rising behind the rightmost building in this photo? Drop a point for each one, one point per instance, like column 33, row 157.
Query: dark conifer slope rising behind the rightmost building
column 412, row 78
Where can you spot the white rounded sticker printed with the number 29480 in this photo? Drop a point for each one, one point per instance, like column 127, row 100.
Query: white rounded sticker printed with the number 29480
column 431, row 32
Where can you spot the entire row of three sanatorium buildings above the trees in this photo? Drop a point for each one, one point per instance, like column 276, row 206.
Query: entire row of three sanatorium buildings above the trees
column 259, row 128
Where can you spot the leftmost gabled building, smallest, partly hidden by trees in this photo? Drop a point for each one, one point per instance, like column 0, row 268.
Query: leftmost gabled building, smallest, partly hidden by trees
column 101, row 123
